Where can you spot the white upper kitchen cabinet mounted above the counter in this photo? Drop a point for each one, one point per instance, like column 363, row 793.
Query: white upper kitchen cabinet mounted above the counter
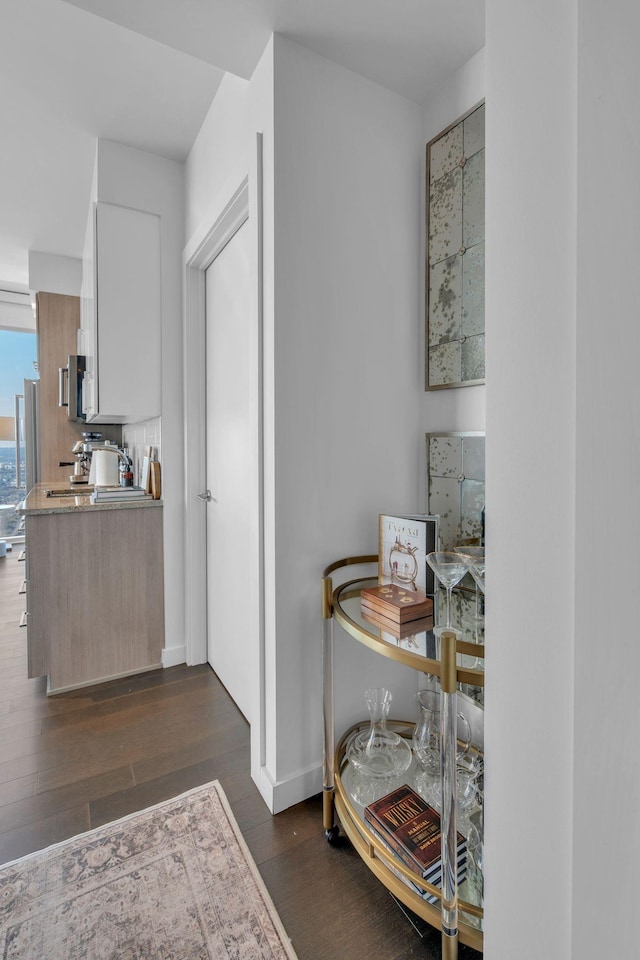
column 121, row 316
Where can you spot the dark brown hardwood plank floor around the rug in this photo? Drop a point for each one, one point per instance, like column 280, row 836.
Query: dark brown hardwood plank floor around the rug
column 77, row 760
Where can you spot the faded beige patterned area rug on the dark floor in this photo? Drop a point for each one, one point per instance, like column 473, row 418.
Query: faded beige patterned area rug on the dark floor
column 174, row 882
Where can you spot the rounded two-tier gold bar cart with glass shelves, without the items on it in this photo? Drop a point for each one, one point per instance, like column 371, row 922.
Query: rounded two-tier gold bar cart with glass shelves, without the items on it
column 455, row 908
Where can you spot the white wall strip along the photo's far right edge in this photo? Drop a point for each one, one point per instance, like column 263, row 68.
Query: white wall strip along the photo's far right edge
column 606, row 790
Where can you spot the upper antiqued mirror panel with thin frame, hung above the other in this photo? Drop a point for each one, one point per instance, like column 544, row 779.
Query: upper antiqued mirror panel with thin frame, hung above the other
column 455, row 255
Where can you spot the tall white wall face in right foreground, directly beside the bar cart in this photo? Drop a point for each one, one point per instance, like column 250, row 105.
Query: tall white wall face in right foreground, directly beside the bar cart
column 530, row 476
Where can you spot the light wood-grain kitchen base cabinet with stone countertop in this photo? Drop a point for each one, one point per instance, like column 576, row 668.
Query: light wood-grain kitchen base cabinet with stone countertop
column 94, row 587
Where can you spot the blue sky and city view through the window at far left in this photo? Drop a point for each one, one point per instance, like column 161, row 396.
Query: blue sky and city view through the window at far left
column 18, row 355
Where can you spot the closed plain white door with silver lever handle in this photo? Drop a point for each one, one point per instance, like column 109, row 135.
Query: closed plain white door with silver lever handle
column 232, row 470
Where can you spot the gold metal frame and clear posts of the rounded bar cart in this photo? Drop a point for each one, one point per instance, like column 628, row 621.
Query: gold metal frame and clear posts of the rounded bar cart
column 334, row 796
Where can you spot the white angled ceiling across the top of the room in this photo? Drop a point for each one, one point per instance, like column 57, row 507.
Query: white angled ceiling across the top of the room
column 144, row 73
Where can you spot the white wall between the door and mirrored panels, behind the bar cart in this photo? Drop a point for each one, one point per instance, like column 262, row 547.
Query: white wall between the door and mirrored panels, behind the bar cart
column 347, row 426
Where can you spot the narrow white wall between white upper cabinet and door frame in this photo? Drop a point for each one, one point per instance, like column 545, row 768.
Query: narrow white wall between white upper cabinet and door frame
column 147, row 182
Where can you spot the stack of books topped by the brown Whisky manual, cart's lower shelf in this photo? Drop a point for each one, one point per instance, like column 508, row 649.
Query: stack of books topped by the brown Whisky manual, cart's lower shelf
column 410, row 828
